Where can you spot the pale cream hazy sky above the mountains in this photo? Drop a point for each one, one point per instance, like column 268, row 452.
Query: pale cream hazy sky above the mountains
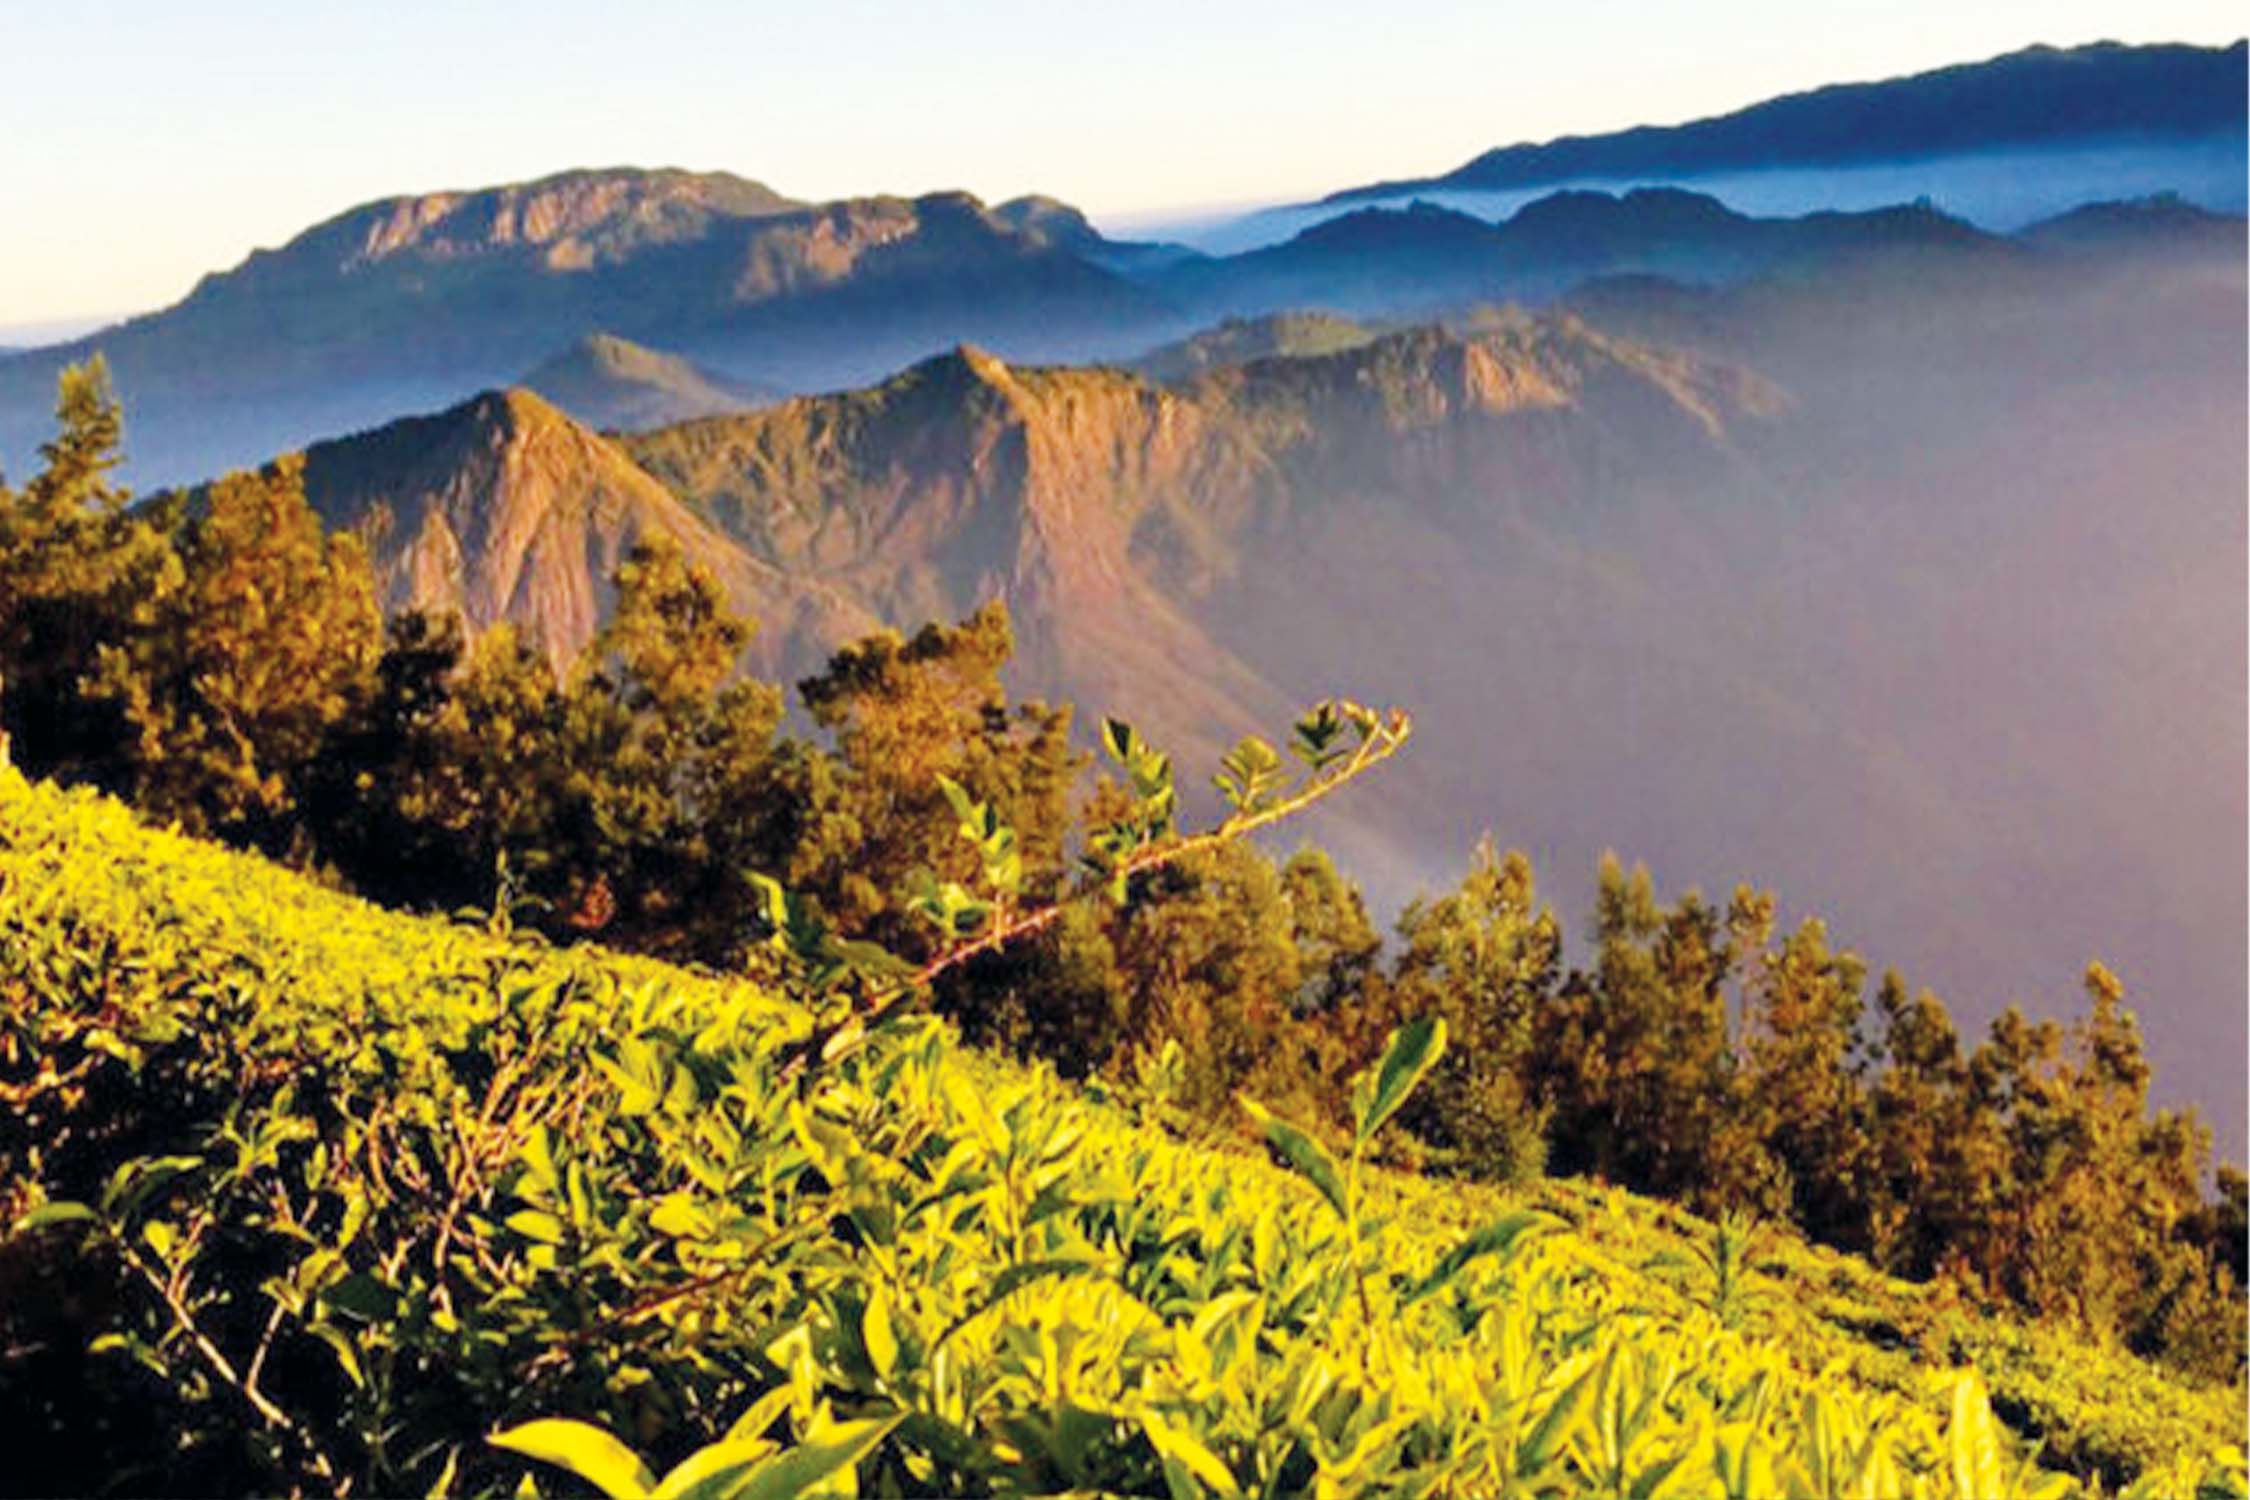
column 152, row 141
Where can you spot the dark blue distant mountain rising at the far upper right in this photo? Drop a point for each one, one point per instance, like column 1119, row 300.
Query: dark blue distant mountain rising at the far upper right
column 2033, row 98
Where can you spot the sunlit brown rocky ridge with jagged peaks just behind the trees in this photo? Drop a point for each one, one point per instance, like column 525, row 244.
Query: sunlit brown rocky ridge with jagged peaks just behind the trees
column 1122, row 521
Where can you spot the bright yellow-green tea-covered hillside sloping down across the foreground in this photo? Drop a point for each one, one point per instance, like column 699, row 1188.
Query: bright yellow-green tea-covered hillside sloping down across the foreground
column 316, row 1198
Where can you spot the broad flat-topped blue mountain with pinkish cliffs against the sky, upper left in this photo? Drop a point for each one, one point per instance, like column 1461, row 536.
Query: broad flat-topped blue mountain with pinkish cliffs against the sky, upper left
column 417, row 302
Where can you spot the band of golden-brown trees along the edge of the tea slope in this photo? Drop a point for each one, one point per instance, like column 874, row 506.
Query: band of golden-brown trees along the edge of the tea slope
column 219, row 660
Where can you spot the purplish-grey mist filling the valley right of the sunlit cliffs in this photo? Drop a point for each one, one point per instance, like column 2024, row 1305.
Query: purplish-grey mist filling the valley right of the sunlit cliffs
column 1947, row 651
